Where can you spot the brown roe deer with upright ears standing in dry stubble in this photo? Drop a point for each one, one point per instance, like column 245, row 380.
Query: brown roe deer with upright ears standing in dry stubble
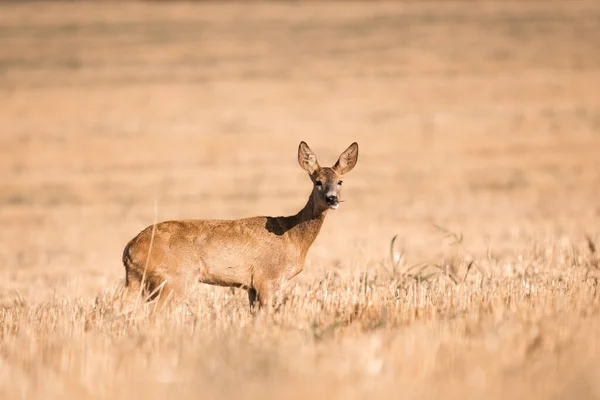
column 257, row 254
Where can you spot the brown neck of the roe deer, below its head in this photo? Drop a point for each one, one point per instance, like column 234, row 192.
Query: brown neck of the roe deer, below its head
column 307, row 223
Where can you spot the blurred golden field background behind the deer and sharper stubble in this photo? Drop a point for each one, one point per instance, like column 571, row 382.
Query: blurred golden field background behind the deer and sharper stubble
column 482, row 117
